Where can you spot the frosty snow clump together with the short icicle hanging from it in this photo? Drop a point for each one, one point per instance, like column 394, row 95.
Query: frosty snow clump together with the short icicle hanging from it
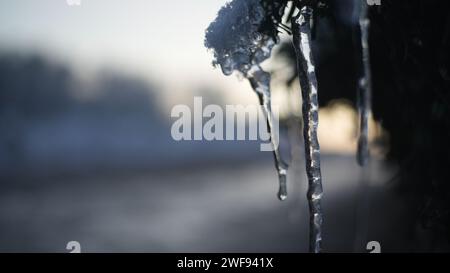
column 242, row 37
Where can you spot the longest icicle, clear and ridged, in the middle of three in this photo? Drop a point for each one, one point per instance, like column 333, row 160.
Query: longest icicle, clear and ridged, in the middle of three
column 308, row 82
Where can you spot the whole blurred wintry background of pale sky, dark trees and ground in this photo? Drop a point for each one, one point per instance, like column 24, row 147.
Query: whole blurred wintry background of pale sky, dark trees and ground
column 86, row 153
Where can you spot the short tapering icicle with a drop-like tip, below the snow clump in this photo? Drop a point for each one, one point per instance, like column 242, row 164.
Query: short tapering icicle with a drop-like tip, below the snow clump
column 260, row 82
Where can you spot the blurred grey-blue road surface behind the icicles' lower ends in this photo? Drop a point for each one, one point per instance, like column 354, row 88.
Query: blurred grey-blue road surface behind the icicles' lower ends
column 217, row 208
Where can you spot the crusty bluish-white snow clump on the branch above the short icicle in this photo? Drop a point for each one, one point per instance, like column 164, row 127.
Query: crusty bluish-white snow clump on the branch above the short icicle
column 239, row 37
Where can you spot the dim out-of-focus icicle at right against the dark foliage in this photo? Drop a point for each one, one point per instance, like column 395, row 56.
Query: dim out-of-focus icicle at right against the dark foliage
column 365, row 92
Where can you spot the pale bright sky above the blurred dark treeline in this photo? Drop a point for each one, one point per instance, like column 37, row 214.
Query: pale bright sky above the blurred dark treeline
column 158, row 40
